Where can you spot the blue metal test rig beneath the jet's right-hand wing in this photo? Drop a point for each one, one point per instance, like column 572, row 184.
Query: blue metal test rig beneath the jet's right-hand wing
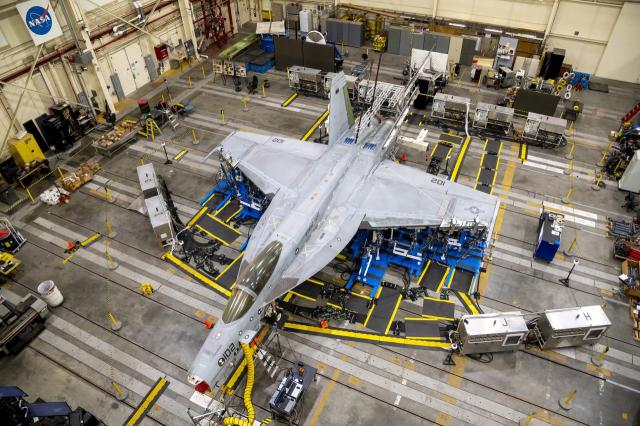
column 452, row 244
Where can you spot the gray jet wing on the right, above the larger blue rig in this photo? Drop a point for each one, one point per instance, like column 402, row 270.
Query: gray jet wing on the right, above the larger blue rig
column 403, row 196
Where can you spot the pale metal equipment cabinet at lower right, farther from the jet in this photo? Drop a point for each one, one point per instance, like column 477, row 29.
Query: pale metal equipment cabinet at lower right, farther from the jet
column 560, row 328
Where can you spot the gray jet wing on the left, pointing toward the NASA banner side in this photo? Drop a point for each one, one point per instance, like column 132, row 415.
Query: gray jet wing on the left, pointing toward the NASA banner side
column 271, row 162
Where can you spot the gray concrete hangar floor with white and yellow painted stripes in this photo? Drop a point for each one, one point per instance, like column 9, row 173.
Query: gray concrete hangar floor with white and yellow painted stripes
column 78, row 356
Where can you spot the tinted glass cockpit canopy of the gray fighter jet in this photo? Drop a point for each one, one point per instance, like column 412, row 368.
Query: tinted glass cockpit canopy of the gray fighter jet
column 251, row 281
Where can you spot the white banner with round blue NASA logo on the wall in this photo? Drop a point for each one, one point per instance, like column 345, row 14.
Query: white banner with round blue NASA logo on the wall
column 40, row 20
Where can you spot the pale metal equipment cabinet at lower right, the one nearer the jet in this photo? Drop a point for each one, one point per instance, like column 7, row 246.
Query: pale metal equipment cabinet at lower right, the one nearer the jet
column 497, row 332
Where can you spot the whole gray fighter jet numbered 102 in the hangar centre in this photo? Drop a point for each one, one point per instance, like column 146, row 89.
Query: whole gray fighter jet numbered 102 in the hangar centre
column 320, row 196
